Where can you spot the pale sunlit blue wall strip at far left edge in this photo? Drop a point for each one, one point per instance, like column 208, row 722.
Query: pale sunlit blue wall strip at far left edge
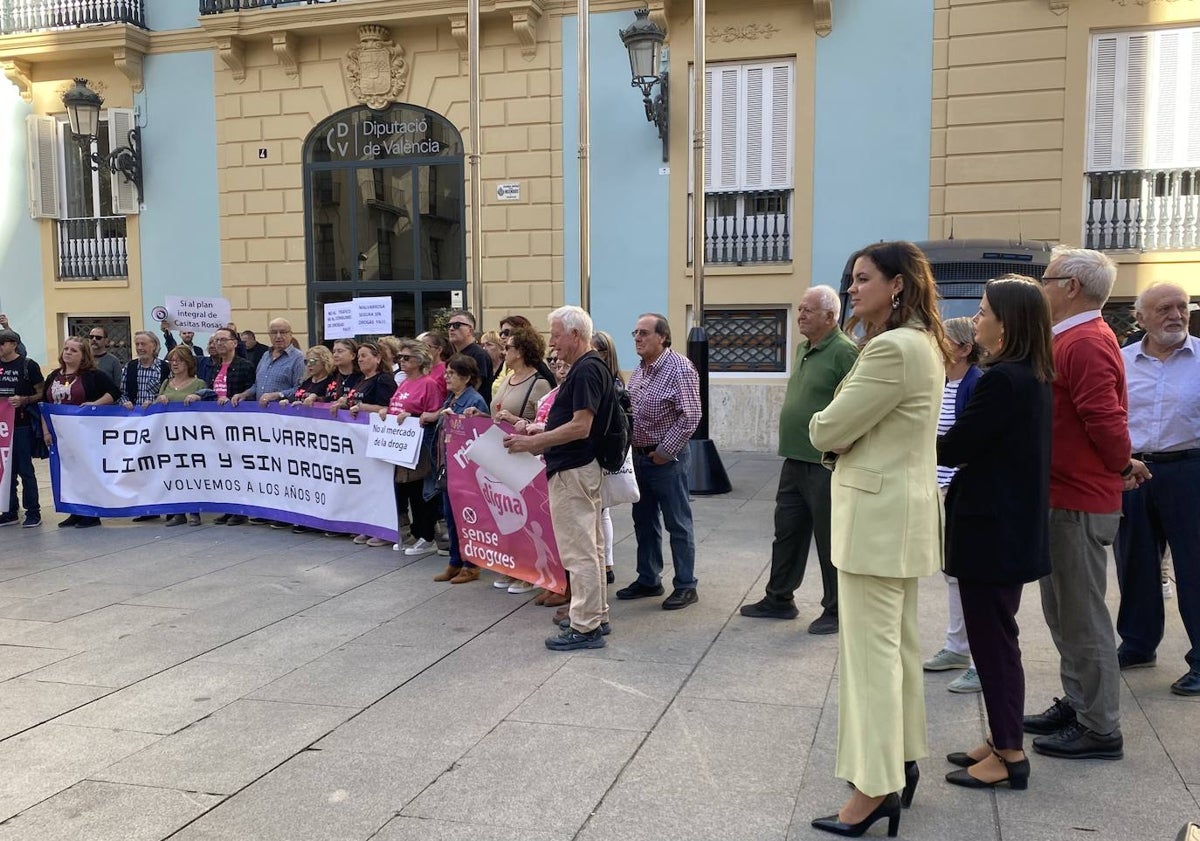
column 21, row 254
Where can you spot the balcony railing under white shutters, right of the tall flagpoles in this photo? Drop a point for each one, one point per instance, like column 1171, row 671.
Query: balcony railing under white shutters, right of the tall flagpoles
column 748, row 227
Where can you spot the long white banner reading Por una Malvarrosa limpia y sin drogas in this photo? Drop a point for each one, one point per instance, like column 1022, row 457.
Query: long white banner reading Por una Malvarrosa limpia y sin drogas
column 295, row 464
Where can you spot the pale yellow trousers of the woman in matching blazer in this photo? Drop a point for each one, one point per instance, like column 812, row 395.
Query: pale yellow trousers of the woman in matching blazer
column 881, row 692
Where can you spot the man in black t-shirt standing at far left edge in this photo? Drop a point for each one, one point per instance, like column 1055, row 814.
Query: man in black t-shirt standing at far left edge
column 21, row 386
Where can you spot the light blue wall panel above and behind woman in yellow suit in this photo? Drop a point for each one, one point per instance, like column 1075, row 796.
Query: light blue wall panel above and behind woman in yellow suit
column 874, row 87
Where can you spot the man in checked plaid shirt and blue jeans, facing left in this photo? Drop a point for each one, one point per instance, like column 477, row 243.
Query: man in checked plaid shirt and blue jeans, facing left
column 665, row 392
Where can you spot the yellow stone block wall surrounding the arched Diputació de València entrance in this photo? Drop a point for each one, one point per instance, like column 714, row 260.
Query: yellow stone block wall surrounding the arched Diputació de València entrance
column 262, row 202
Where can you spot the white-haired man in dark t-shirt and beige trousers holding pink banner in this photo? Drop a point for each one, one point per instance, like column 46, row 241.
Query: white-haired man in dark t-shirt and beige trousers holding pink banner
column 574, row 426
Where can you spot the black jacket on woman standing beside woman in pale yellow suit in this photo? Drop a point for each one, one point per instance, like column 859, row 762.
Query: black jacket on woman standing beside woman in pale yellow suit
column 998, row 507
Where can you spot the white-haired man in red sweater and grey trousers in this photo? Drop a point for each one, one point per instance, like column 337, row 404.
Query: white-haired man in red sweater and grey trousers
column 1090, row 467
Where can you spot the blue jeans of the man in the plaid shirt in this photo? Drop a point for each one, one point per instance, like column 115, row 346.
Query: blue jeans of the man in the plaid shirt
column 664, row 488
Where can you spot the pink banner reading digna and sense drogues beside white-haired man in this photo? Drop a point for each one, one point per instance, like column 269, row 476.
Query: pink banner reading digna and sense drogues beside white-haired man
column 501, row 527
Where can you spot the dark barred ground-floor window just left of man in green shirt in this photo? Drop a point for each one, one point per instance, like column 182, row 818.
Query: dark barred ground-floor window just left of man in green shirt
column 752, row 340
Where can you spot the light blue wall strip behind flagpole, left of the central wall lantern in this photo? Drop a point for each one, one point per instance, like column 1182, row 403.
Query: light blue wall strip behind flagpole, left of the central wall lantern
column 629, row 197
